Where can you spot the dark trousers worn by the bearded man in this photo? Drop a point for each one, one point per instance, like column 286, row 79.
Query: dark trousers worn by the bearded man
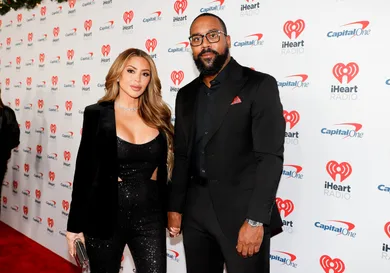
column 207, row 248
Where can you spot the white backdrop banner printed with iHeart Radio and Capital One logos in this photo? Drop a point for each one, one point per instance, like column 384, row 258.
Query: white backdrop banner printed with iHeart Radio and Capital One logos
column 332, row 65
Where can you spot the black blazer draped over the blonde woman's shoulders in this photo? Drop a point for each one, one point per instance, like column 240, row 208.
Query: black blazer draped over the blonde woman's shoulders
column 93, row 208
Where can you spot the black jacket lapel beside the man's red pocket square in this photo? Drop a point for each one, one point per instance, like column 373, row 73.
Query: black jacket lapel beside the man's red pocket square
column 228, row 91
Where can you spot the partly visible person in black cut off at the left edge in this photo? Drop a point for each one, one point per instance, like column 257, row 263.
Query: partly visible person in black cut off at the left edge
column 9, row 137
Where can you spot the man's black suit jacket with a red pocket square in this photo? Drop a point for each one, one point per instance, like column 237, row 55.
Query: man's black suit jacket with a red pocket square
column 244, row 150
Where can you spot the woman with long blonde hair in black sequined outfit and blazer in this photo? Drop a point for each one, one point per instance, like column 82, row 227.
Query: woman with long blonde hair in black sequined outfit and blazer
column 123, row 164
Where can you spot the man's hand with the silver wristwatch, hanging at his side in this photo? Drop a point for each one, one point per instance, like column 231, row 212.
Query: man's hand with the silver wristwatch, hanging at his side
column 249, row 240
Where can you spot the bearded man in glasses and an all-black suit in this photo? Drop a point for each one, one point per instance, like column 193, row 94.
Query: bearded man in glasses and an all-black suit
column 229, row 144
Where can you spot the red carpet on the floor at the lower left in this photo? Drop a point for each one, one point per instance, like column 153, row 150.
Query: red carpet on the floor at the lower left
column 19, row 254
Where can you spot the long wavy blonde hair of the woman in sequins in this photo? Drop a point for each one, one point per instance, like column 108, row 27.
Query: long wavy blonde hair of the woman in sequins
column 152, row 109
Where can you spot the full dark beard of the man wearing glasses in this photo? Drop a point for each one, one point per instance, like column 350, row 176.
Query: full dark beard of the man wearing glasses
column 214, row 65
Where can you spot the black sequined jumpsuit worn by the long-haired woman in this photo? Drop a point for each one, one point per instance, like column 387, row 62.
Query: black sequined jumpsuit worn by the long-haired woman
column 140, row 216
